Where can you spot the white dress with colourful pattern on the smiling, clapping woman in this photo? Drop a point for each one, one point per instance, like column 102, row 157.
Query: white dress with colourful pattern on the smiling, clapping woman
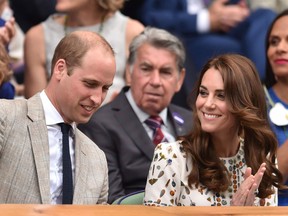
column 167, row 183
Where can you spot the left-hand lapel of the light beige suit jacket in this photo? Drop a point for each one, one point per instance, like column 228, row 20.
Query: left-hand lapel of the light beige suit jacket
column 39, row 140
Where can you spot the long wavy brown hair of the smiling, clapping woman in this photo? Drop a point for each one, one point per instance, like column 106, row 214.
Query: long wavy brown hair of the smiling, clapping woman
column 245, row 95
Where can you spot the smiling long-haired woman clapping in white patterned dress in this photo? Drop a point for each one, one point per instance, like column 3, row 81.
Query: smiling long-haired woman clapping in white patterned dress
column 229, row 157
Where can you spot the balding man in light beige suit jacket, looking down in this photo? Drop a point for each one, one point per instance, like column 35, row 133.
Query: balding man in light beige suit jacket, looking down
column 31, row 139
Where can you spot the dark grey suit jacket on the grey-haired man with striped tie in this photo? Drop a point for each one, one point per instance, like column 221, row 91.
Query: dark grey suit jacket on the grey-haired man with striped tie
column 118, row 132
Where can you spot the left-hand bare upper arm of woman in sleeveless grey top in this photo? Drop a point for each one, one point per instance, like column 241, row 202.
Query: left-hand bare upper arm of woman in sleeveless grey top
column 34, row 56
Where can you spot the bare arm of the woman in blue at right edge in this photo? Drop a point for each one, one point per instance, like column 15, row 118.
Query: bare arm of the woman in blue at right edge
column 283, row 160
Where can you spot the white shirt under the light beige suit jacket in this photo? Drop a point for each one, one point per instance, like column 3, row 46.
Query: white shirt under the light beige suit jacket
column 52, row 118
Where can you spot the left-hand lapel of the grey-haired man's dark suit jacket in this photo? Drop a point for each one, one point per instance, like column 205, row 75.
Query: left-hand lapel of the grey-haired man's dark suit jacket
column 124, row 113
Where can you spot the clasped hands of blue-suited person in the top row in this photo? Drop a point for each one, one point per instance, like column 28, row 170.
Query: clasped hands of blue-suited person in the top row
column 224, row 17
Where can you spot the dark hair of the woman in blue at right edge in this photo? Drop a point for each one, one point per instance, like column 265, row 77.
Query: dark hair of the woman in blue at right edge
column 269, row 75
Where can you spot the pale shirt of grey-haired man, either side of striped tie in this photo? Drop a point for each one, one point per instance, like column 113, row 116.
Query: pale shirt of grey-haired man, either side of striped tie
column 166, row 127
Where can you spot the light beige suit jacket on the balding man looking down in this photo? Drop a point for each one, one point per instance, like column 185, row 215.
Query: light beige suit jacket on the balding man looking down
column 24, row 158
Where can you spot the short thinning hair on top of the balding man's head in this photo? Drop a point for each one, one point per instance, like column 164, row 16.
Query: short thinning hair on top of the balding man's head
column 75, row 45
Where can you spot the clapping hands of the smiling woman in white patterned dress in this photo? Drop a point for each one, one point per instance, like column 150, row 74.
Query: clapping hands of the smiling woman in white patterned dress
column 245, row 195
